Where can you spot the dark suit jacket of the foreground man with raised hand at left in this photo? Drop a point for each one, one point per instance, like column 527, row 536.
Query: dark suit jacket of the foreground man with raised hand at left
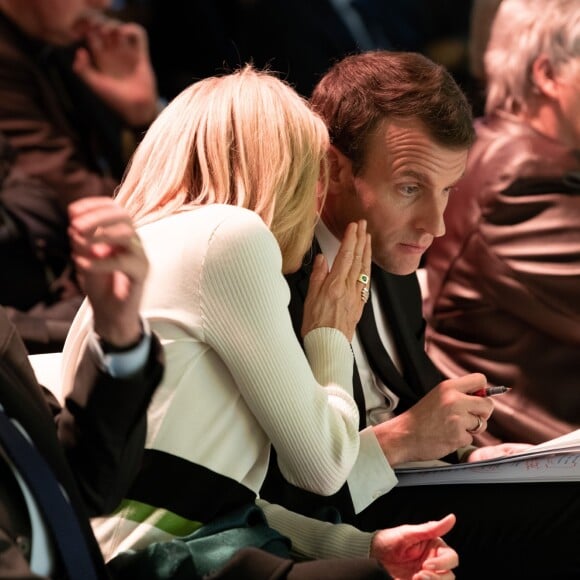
column 101, row 431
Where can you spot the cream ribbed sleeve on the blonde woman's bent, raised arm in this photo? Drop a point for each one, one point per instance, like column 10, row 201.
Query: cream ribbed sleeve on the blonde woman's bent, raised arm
column 311, row 420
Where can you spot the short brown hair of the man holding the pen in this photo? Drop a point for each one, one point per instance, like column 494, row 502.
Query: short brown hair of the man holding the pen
column 361, row 90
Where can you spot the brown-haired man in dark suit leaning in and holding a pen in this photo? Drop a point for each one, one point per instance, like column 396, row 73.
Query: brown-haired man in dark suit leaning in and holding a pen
column 400, row 131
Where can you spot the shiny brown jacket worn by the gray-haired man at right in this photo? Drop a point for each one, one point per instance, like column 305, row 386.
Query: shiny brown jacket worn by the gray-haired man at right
column 504, row 281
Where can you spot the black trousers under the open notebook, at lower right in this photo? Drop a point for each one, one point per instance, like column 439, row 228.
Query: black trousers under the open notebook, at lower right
column 503, row 531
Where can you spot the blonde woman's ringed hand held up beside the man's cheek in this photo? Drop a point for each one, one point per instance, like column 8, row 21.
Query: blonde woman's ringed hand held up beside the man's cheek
column 335, row 297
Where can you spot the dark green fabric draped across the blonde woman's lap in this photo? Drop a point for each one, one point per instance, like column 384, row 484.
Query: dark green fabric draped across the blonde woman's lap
column 204, row 551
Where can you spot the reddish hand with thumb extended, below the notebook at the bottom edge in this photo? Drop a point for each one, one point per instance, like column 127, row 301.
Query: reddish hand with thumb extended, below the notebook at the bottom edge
column 416, row 552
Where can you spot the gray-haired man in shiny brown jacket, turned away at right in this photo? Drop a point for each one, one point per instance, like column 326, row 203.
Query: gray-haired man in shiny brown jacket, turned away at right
column 503, row 282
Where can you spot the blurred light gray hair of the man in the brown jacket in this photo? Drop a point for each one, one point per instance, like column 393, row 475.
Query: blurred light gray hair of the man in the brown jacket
column 522, row 31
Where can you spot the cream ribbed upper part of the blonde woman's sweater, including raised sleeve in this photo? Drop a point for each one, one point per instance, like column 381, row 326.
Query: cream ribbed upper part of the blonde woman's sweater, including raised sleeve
column 236, row 379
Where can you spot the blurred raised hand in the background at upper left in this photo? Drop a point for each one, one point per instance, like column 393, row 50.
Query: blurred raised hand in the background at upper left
column 116, row 66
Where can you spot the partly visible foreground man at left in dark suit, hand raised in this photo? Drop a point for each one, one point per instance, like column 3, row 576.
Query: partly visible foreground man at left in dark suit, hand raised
column 98, row 442
